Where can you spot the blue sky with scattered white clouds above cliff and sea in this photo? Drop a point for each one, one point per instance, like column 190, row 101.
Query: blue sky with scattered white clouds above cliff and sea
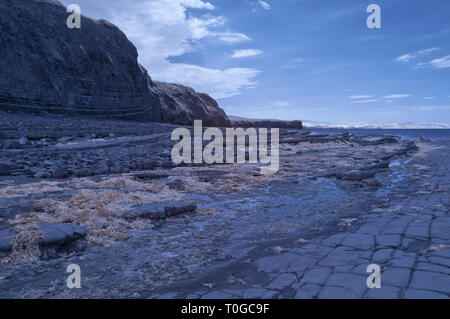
column 311, row 60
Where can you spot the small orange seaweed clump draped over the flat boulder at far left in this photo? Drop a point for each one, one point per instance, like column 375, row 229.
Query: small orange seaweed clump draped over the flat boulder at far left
column 24, row 245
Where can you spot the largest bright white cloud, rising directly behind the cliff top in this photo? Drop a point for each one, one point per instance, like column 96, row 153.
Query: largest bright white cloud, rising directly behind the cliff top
column 161, row 29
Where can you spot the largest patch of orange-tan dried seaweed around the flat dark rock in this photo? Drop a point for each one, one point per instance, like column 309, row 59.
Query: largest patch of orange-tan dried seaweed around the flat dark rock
column 99, row 210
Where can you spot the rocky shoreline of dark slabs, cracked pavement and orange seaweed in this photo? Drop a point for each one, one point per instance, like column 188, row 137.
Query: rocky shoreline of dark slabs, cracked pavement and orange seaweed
column 95, row 193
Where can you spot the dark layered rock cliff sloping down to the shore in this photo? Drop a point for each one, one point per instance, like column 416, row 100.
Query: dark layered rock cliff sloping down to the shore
column 45, row 66
